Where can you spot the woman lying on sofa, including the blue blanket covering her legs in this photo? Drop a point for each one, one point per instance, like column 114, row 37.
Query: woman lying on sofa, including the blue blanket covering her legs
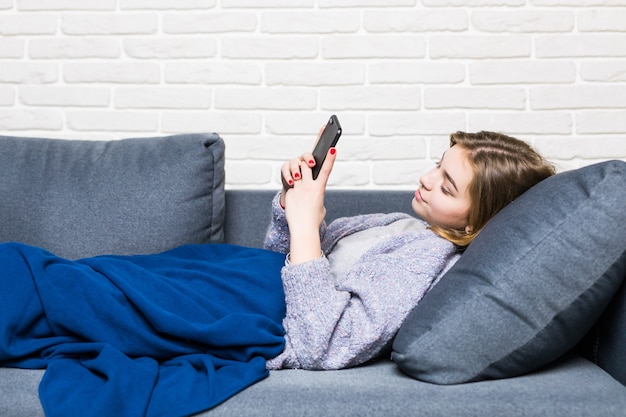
column 180, row 331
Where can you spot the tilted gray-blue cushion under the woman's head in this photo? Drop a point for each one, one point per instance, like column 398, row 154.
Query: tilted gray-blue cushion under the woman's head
column 529, row 287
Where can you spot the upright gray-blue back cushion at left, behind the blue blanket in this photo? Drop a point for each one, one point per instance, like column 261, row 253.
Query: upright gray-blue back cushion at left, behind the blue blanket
column 80, row 198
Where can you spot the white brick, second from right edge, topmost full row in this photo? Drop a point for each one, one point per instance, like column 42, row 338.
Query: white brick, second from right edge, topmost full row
column 523, row 21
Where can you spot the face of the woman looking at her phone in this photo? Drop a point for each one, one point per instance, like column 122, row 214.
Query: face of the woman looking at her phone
column 443, row 197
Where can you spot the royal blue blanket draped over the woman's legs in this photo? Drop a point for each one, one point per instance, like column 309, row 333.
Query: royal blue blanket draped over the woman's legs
column 171, row 334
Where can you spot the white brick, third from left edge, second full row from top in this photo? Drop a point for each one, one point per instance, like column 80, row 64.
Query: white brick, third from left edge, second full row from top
column 170, row 48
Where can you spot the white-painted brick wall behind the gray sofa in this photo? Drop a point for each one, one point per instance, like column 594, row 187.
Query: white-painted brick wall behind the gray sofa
column 401, row 74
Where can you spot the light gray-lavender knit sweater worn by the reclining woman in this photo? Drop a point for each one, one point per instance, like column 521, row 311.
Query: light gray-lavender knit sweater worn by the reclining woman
column 335, row 322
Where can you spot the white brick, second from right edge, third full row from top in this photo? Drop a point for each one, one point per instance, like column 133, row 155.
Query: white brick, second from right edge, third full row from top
column 522, row 72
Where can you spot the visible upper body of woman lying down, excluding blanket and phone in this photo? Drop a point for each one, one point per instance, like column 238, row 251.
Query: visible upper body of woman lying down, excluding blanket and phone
column 350, row 284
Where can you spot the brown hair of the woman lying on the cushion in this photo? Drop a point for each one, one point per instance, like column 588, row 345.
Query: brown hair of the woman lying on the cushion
column 504, row 168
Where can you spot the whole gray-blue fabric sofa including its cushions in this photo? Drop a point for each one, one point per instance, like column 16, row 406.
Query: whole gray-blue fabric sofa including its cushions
column 528, row 323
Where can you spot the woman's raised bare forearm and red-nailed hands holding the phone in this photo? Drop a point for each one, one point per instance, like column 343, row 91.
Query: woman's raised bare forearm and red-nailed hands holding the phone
column 303, row 199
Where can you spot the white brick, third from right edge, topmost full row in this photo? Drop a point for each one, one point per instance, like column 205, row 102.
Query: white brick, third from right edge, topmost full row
column 424, row 20
